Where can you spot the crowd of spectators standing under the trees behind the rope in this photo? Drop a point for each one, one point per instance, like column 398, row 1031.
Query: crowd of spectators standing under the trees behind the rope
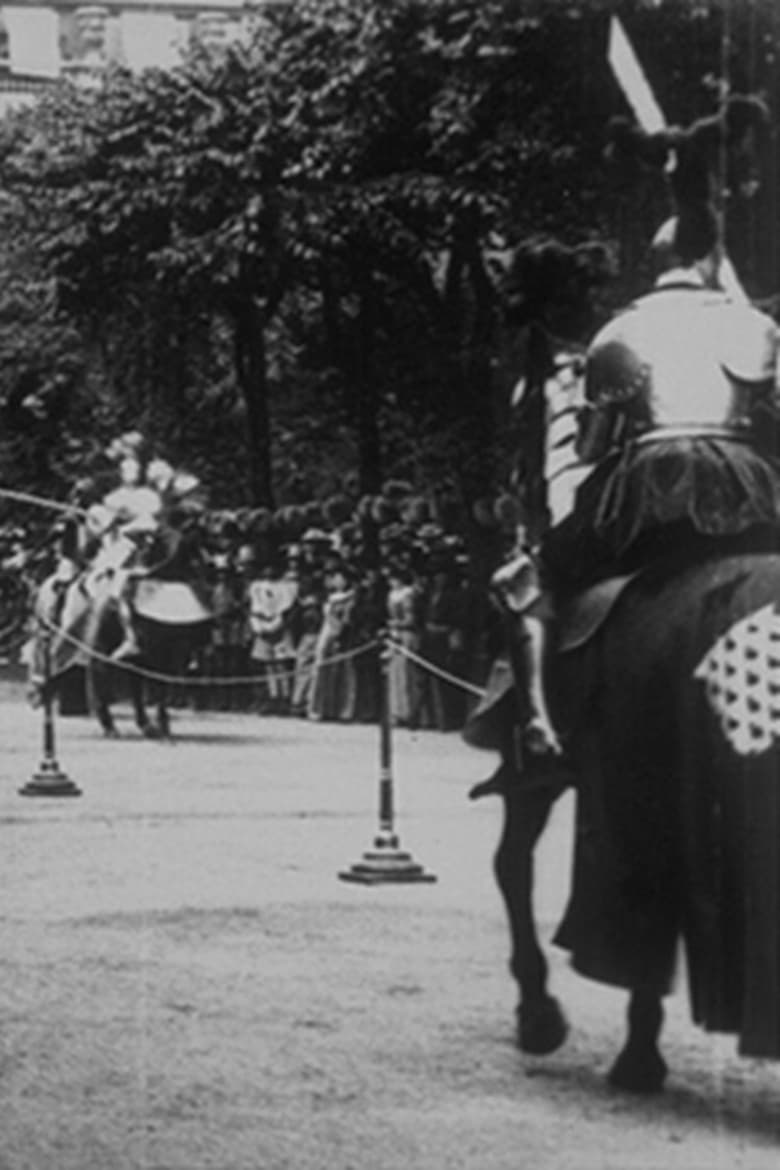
column 296, row 622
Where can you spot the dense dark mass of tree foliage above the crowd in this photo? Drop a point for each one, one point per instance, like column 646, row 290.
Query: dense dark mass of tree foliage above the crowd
column 292, row 261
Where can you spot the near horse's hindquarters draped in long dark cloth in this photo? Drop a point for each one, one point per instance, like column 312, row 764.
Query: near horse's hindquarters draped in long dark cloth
column 679, row 828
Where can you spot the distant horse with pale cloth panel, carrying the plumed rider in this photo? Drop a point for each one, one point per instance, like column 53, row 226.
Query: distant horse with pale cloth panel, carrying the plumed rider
column 85, row 630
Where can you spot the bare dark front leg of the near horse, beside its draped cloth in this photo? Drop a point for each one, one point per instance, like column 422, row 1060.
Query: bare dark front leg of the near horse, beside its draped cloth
column 541, row 1024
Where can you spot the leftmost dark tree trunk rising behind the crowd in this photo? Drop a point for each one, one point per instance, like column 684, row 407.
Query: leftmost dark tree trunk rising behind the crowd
column 252, row 374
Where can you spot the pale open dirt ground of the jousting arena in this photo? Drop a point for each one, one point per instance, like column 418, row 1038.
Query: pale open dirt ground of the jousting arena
column 185, row 983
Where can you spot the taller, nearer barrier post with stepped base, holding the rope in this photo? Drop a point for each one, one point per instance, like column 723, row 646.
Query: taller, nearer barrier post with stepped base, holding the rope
column 386, row 862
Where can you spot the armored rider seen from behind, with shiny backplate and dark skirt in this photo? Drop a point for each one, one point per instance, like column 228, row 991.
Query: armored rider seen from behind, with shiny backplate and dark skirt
column 675, row 391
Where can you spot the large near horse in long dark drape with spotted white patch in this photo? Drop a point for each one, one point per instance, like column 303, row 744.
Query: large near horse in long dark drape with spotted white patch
column 669, row 705
